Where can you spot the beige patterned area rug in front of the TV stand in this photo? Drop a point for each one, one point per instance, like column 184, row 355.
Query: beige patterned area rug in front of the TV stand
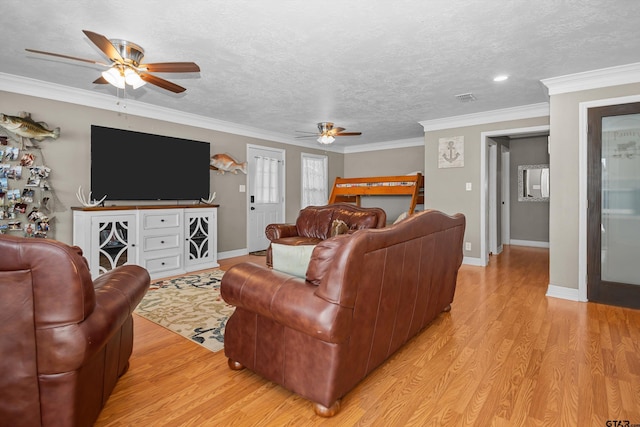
column 191, row 306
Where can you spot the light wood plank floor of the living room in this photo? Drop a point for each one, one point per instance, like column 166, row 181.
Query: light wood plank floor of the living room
column 505, row 355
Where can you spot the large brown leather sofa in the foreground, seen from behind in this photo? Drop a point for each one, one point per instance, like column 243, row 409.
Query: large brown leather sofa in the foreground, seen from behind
column 364, row 296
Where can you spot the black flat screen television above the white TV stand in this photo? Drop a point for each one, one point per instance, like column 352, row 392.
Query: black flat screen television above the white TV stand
column 128, row 165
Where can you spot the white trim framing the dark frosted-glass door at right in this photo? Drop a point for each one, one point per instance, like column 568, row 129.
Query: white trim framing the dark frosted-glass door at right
column 583, row 140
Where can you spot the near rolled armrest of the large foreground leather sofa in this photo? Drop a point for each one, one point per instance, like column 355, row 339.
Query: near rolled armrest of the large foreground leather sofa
column 288, row 300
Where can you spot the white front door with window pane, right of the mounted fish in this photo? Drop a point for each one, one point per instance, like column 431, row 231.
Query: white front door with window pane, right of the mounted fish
column 265, row 193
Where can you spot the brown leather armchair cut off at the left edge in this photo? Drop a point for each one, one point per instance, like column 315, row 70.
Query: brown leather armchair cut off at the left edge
column 64, row 340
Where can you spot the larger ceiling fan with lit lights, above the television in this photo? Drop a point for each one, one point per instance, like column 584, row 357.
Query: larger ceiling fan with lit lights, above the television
column 126, row 65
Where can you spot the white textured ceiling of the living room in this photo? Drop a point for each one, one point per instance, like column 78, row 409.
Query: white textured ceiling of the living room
column 375, row 66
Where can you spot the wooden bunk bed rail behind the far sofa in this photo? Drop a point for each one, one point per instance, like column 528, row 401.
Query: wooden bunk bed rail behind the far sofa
column 350, row 190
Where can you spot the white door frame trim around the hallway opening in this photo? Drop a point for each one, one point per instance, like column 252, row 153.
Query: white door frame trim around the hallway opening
column 484, row 136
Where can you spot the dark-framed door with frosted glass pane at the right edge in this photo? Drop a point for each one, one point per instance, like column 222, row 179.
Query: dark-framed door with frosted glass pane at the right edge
column 613, row 213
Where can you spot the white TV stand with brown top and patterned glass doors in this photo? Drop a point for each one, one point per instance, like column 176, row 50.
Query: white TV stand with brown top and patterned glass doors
column 167, row 240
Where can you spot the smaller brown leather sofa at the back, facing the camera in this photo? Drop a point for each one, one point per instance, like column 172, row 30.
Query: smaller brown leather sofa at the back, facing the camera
column 313, row 224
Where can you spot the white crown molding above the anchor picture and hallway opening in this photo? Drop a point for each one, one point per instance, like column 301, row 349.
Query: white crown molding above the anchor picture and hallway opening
column 503, row 115
